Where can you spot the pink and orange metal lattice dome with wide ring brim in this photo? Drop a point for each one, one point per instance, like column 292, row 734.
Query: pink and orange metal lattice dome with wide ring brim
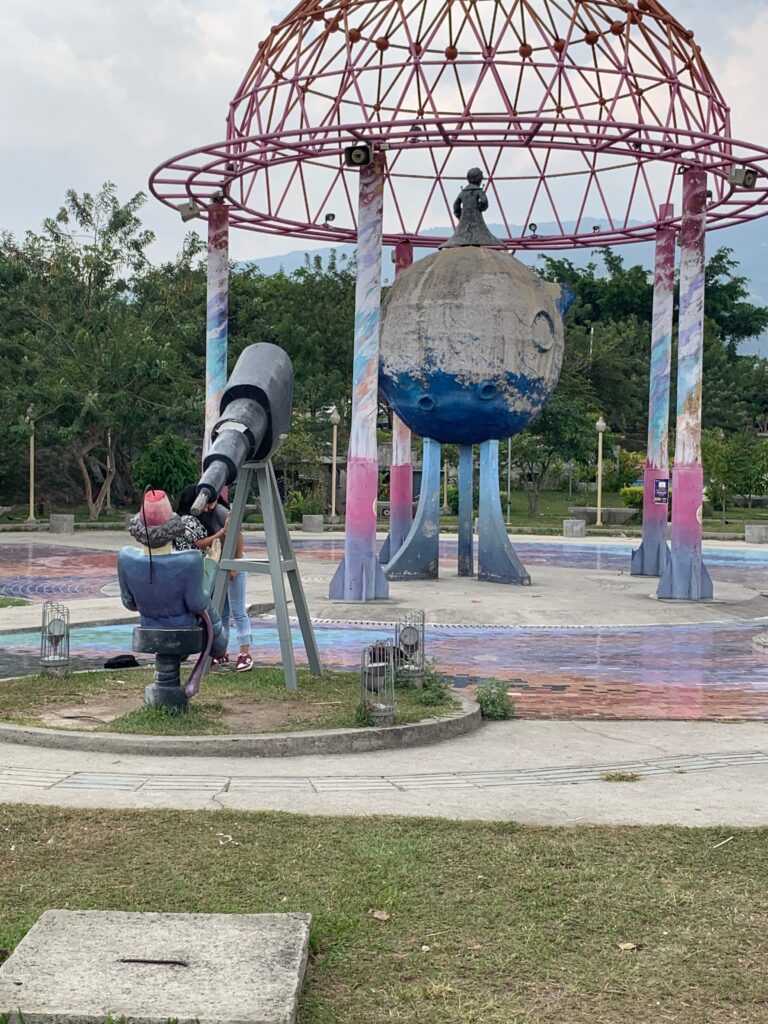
column 580, row 112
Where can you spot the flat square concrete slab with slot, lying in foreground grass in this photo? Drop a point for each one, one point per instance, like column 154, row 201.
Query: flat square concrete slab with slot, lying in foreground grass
column 84, row 966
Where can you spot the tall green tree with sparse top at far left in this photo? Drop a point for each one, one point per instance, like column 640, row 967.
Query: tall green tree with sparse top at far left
column 79, row 346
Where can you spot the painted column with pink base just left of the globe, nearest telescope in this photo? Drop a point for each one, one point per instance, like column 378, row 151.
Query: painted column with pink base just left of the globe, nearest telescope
column 360, row 577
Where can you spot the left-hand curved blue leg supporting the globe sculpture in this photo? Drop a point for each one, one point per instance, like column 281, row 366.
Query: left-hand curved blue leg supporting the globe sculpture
column 420, row 556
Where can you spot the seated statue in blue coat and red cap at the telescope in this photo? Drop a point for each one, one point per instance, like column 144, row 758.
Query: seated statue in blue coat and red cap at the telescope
column 170, row 589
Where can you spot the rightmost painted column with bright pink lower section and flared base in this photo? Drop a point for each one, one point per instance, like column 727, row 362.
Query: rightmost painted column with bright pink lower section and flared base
column 686, row 577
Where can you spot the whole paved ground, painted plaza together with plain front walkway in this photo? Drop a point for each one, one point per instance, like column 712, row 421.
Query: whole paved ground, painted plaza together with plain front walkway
column 587, row 652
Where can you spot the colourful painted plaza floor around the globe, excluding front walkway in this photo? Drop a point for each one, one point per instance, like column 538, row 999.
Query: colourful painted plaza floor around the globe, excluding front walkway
column 586, row 641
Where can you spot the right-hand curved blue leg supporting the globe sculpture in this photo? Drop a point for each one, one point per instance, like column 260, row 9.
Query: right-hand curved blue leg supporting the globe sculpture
column 497, row 560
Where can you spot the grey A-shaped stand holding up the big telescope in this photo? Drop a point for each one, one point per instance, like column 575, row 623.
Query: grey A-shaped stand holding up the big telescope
column 281, row 562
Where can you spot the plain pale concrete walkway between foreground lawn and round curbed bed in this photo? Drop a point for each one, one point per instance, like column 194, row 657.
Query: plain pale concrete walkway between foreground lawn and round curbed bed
column 536, row 773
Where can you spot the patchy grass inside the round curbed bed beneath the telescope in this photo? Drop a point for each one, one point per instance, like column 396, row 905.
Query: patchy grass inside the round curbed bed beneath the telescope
column 228, row 703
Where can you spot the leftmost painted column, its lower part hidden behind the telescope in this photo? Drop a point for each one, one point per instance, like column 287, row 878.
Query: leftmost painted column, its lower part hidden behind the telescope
column 218, row 313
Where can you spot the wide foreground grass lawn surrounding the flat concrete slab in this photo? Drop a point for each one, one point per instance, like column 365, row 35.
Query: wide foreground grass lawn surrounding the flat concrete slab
column 489, row 924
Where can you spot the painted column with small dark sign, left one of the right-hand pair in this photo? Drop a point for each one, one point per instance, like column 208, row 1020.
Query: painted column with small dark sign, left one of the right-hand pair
column 651, row 558
